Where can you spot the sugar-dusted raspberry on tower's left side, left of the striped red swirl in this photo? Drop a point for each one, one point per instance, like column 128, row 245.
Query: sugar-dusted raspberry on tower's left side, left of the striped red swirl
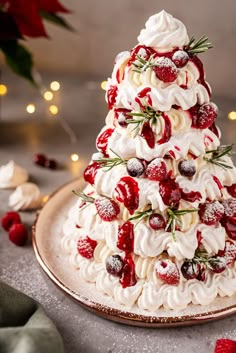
column 107, row 209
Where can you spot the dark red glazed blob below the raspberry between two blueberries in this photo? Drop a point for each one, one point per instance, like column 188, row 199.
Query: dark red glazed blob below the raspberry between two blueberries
column 170, row 192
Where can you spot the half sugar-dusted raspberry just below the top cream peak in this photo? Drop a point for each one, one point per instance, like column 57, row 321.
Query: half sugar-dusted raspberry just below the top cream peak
column 165, row 69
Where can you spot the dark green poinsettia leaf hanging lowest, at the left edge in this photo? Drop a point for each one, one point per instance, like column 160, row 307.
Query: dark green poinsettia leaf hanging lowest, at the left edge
column 19, row 59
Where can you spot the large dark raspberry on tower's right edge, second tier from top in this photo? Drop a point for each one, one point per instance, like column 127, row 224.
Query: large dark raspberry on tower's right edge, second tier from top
column 206, row 115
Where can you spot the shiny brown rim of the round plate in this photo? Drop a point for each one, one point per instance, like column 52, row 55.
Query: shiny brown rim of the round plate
column 113, row 314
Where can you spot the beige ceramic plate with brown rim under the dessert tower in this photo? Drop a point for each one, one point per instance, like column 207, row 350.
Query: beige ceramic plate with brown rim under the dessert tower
column 46, row 242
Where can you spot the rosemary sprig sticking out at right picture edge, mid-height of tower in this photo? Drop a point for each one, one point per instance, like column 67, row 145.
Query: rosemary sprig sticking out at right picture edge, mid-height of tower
column 216, row 157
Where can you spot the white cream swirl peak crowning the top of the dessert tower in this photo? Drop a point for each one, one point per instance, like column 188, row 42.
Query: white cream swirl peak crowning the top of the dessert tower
column 163, row 32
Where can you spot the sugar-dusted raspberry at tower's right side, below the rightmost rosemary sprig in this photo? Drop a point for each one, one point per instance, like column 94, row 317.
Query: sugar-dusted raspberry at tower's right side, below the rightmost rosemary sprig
column 211, row 213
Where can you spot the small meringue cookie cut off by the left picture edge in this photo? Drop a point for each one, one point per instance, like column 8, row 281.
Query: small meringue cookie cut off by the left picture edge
column 12, row 175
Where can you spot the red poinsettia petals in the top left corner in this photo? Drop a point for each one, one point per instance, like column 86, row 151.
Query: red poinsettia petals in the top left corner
column 26, row 14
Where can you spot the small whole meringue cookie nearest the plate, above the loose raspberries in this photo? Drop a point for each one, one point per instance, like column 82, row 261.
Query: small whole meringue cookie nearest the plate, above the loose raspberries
column 26, row 197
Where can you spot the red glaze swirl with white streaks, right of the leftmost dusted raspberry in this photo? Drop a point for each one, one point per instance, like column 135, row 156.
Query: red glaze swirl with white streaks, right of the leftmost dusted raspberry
column 128, row 192
